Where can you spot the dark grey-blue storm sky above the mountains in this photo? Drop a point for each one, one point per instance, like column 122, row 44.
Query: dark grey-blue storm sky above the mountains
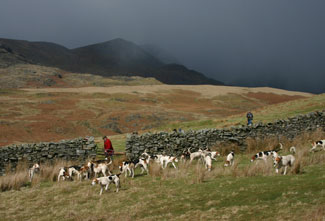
column 277, row 43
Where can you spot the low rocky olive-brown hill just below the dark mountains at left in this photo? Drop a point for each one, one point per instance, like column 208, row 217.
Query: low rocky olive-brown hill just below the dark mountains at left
column 36, row 76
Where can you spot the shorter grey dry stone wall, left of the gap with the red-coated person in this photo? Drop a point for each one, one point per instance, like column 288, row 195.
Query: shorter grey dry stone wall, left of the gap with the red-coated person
column 76, row 149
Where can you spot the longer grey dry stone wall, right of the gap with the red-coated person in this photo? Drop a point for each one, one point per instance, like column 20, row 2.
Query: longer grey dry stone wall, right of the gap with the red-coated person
column 174, row 143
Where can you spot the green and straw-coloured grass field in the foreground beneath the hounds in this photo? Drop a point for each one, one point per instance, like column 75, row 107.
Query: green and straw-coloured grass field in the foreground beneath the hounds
column 246, row 191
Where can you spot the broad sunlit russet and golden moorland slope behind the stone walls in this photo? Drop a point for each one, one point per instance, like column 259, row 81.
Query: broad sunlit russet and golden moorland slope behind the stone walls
column 51, row 114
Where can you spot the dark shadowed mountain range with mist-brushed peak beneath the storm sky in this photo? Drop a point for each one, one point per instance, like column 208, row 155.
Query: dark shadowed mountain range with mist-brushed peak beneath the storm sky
column 112, row 58
